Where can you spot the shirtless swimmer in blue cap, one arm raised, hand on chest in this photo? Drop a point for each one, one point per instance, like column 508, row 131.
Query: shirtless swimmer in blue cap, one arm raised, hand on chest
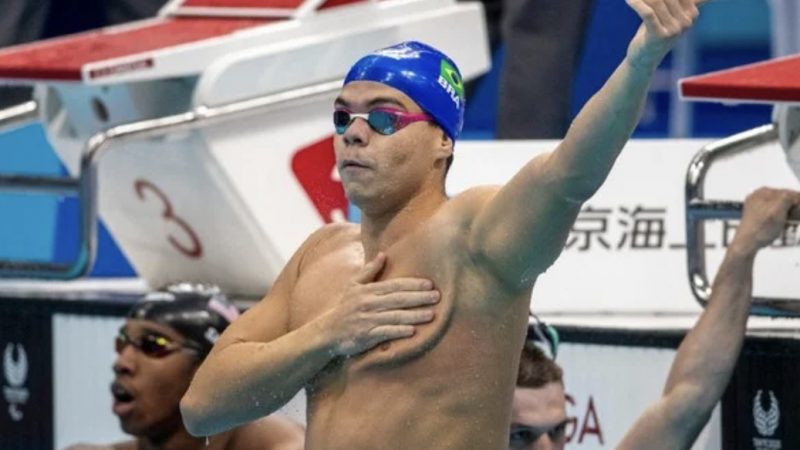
column 405, row 330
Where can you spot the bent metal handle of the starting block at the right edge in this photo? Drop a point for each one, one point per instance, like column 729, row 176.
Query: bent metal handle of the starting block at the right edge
column 699, row 209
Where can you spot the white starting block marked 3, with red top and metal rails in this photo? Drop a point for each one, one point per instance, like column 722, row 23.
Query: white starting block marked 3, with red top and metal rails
column 213, row 123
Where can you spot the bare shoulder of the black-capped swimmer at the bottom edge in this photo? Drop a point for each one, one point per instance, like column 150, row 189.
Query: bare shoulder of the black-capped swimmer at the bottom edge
column 270, row 433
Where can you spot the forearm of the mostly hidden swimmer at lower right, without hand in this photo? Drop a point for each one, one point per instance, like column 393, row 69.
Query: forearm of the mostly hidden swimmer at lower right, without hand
column 708, row 354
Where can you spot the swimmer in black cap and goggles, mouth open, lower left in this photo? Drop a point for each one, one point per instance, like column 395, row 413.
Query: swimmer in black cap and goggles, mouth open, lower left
column 165, row 337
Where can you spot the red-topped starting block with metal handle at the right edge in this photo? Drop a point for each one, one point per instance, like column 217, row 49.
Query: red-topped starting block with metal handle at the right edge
column 772, row 82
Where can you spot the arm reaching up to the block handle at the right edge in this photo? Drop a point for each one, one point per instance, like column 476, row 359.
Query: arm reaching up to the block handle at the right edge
column 707, row 356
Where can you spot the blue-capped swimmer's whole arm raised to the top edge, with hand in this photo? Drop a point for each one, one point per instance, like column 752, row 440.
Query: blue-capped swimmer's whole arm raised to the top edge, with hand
column 522, row 228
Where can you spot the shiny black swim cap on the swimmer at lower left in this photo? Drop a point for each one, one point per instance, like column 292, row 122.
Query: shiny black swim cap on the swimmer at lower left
column 199, row 312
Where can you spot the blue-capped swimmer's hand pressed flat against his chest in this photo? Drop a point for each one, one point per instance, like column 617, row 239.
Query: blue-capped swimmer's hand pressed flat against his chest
column 371, row 312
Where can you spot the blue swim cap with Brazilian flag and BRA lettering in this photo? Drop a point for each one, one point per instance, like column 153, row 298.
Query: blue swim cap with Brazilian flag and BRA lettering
column 423, row 73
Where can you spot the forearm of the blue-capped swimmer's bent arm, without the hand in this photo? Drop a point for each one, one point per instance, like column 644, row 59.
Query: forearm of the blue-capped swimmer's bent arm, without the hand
column 249, row 380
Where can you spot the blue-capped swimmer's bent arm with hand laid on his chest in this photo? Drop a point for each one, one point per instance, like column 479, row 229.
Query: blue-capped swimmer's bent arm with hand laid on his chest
column 258, row 365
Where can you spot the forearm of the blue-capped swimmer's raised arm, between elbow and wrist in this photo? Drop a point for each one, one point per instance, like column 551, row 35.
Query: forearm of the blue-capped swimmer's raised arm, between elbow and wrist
column 601, row 129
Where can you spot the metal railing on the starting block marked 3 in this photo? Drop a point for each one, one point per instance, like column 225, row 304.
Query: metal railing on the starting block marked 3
column 85, row 184
